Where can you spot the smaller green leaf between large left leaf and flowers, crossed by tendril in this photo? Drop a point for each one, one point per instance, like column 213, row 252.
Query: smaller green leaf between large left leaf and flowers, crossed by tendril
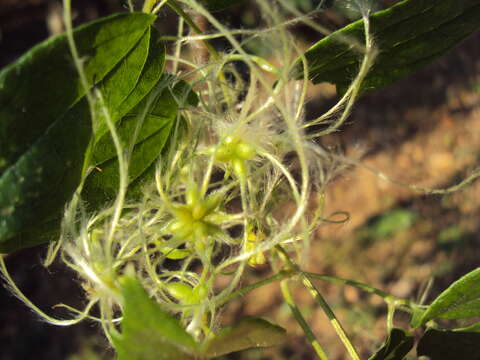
column 103, row 183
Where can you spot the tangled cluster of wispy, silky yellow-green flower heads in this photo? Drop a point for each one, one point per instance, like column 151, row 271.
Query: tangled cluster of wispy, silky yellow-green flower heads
column 212, row 206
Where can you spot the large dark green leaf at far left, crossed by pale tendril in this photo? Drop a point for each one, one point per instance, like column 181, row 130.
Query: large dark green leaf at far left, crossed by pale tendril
column 45, row 125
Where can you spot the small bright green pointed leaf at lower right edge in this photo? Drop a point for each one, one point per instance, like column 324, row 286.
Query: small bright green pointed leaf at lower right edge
column 460, row 300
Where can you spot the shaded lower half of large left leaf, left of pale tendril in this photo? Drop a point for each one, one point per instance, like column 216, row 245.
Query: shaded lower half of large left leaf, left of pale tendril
column 35, row 188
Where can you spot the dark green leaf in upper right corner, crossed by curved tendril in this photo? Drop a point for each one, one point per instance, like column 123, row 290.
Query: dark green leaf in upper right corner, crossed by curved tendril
column 409, row 35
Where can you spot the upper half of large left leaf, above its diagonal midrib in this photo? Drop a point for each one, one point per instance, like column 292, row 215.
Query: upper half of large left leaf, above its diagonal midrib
column 44, row 83
